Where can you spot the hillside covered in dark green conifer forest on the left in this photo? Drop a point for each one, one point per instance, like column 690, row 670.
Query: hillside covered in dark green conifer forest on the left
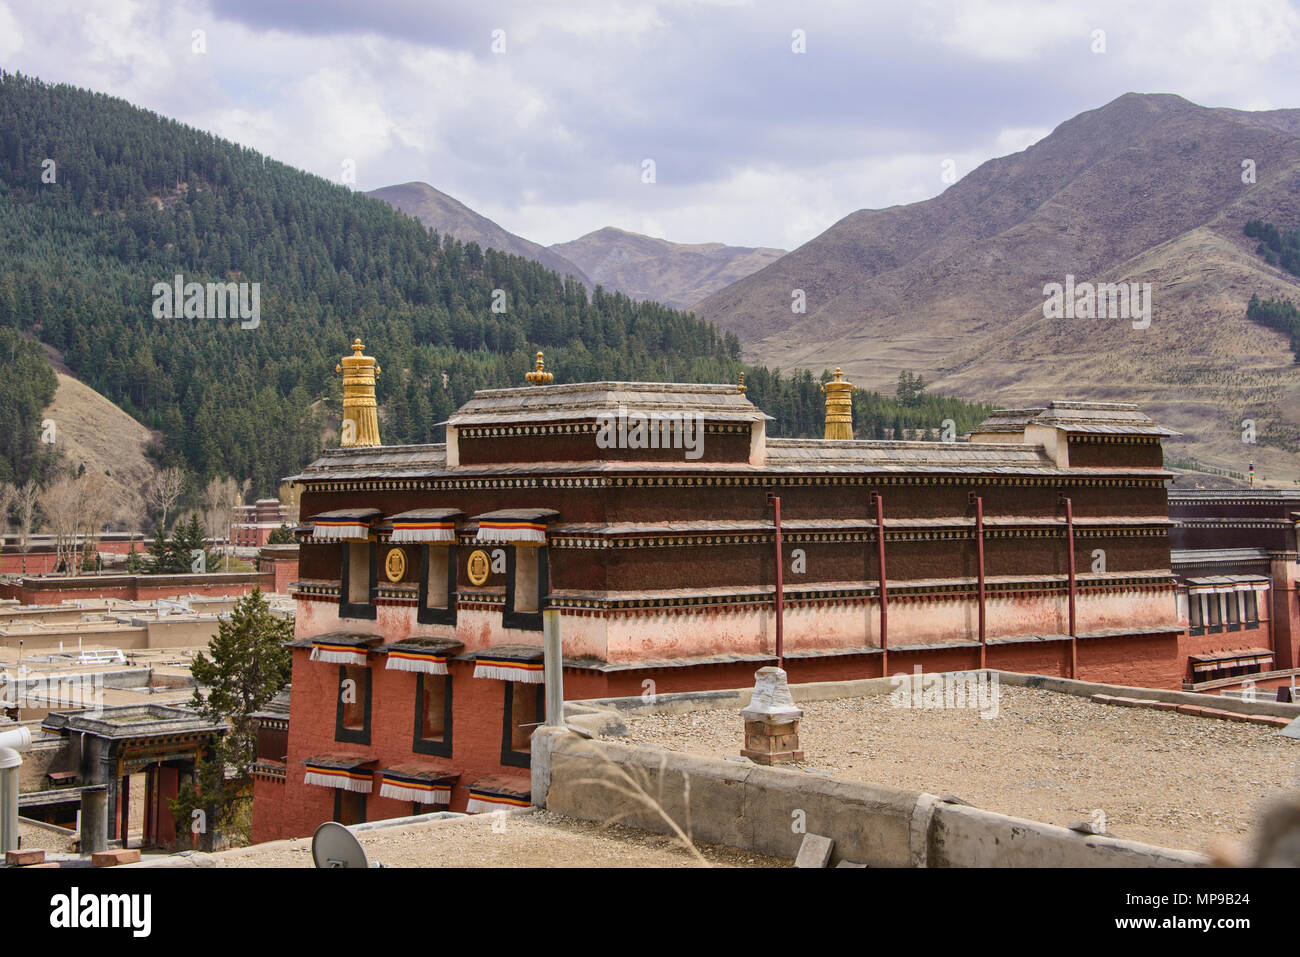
column 101, row 201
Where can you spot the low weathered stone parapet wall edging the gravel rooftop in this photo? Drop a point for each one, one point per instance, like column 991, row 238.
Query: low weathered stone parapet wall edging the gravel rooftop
column 769, row 809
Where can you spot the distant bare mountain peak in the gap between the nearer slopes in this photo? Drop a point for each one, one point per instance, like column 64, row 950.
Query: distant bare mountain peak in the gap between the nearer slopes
column 675, row 275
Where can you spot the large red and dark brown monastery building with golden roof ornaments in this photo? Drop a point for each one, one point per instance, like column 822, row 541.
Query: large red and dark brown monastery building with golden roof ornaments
column 426, row 571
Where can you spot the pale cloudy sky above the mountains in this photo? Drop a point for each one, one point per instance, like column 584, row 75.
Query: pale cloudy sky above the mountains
column 755, row 145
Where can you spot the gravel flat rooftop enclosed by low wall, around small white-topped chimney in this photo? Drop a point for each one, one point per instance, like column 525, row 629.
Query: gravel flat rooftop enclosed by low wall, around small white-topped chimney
column 1160, row 777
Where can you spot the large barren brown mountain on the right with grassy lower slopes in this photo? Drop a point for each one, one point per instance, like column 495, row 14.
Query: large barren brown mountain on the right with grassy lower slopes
column 1146, row 189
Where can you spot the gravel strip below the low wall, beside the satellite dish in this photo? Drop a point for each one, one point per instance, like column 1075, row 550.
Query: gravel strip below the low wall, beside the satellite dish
column 522, row 839
